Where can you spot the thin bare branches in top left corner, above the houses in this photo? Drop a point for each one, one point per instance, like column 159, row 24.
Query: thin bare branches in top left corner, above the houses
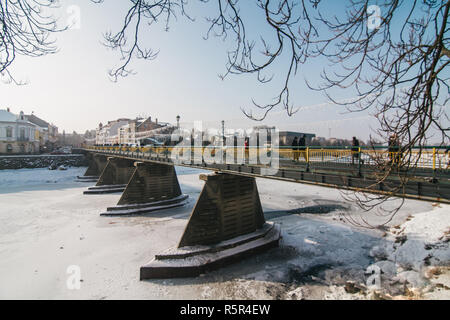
column 25, row 29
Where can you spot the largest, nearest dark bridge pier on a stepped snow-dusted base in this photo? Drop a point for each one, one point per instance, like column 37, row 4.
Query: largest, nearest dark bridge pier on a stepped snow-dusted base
column 227, row 224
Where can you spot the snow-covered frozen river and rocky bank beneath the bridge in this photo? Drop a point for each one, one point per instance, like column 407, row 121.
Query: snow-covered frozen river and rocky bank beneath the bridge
column 47, row 225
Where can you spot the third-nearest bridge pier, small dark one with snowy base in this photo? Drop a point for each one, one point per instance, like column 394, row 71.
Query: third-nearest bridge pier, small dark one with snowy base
column 114, row 177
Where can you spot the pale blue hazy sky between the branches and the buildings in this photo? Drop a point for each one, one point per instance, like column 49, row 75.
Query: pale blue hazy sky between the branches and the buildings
column 72, row 90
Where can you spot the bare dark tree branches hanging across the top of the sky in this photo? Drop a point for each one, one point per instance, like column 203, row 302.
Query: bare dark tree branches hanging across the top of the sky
column 393, row 57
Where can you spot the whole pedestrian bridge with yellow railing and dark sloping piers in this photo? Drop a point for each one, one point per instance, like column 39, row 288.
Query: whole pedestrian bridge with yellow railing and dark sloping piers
column 227, row 221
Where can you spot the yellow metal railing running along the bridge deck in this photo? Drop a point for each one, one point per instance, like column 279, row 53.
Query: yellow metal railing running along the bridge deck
column 436, row 159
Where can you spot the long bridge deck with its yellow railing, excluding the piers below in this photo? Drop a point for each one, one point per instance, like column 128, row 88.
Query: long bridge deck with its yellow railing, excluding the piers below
column 428, row 178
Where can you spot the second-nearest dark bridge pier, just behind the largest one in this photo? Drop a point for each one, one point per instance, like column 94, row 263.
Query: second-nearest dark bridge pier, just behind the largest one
column 152, row 187
